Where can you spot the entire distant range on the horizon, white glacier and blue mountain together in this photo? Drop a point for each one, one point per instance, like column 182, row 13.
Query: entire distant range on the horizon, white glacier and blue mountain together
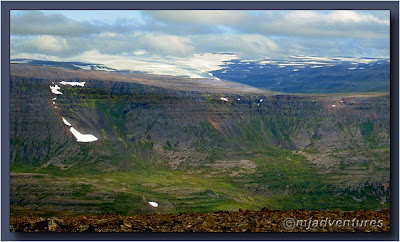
column 297, row 74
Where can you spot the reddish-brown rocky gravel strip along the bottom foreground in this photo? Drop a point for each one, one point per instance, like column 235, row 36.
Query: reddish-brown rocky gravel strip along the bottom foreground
column 237, row 221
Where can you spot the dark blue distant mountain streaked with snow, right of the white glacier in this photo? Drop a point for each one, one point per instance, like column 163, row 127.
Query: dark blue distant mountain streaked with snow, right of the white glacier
column 311, row 74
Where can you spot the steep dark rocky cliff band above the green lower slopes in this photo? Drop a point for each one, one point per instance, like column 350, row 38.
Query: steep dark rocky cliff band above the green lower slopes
column 126, row 114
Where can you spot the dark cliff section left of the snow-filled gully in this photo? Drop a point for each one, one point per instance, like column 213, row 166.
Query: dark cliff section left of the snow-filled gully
column 36, row 132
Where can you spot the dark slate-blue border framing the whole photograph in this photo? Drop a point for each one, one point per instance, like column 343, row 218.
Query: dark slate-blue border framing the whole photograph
column 393, row 6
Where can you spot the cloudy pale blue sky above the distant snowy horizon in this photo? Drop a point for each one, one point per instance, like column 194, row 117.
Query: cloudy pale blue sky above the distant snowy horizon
column 112, row 36
